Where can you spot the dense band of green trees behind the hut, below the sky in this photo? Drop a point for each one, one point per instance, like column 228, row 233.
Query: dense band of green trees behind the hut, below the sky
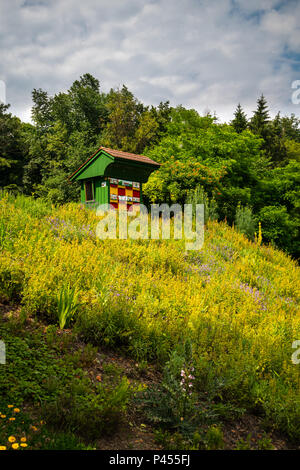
column 252, row 163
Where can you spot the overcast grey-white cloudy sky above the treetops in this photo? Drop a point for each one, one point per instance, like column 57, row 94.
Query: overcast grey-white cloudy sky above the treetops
column 203, row 54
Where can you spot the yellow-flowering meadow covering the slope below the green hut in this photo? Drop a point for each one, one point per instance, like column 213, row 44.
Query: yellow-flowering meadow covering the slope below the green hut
column 227, row 315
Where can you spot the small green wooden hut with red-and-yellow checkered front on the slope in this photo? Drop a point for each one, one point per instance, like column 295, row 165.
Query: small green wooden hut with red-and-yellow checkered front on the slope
column 112, row 176
